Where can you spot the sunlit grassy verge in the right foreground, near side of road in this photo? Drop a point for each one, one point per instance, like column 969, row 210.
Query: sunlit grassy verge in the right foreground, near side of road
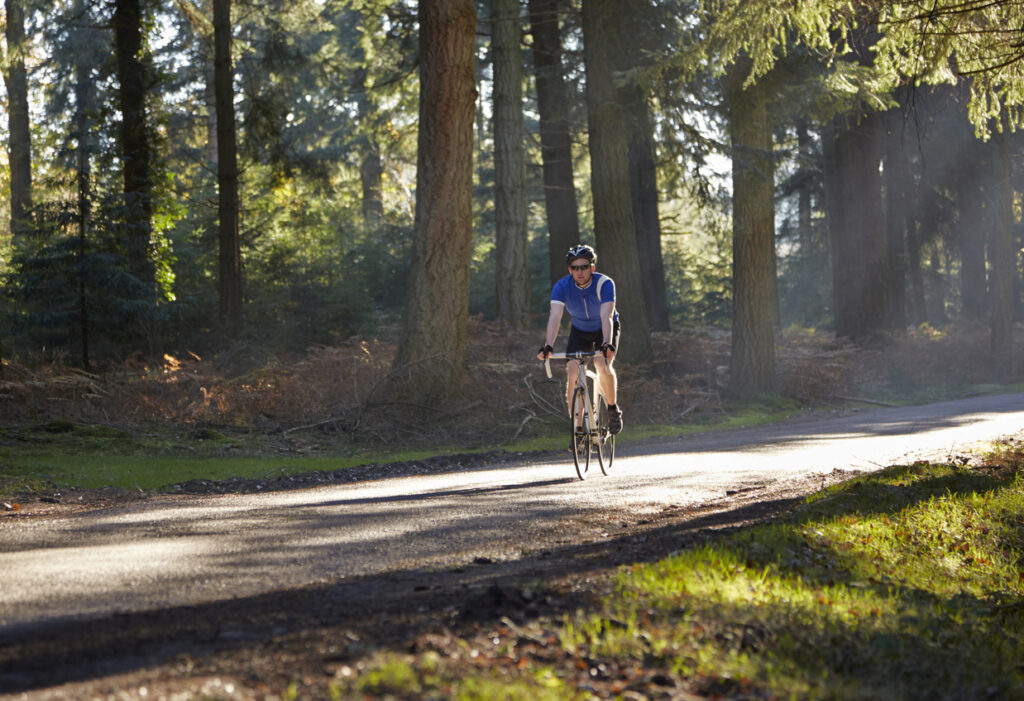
column 906, row 584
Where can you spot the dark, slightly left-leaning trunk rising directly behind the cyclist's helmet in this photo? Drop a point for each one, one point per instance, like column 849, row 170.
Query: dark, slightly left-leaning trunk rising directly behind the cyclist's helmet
column 557, row 140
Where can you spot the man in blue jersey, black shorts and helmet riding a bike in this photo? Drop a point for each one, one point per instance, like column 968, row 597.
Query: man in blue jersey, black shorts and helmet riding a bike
column 590, row 299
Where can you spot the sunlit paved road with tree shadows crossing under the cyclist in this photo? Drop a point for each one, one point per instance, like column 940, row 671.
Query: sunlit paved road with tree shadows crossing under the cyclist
column 174, row 551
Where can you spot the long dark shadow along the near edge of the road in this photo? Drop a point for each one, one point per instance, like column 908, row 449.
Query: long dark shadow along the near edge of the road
column 373, row 610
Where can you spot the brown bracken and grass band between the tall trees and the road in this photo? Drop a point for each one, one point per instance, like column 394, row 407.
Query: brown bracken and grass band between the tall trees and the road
column 331, row 404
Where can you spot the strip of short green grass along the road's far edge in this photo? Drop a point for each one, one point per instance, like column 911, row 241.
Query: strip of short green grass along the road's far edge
column 64, row 455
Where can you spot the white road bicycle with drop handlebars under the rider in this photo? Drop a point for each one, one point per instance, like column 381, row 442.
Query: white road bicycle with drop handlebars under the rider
column 588, row 416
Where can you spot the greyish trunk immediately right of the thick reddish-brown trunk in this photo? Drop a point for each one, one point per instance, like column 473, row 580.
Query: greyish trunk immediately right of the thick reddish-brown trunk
column 513, row 279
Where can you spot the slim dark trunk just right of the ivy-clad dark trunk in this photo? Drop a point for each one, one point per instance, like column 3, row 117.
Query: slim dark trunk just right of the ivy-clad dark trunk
column 230, row 260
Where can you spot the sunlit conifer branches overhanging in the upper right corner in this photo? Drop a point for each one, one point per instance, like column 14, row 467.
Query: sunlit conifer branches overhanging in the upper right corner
column 923, row 42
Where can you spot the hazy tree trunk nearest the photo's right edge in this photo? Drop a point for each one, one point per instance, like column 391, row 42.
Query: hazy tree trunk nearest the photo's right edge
column 1004, row 259
